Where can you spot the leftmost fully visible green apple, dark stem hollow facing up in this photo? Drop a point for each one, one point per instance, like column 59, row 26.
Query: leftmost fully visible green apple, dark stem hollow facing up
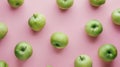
column 23, row 50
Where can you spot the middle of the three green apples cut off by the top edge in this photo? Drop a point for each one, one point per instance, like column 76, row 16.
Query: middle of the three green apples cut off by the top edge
column 64, row 4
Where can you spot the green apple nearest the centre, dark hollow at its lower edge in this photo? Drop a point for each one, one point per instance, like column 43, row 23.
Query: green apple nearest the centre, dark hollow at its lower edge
column 59, row 40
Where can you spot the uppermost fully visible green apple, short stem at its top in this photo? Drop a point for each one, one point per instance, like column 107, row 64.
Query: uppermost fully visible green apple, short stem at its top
column 37, row 22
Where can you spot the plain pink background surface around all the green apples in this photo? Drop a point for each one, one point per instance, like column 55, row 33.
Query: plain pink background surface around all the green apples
column 71, row 22
